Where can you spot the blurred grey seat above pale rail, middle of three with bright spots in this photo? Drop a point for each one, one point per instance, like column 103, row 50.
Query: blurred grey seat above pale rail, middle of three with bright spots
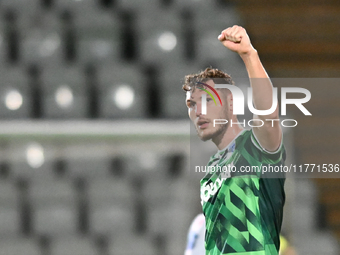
column 64, row 90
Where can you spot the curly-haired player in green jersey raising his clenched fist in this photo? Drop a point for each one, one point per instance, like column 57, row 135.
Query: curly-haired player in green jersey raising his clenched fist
column 243, row 211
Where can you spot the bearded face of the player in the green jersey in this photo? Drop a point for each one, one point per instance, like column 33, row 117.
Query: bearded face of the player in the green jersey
column 205, row 123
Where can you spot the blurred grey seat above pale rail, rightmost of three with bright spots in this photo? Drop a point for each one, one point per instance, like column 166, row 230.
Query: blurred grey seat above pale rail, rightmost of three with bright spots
column 122, row 91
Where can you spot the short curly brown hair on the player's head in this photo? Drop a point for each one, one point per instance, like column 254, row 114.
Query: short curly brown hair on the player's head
column 209, row 73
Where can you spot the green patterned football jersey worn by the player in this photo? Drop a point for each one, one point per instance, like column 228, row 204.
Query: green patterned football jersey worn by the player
column 242, row 207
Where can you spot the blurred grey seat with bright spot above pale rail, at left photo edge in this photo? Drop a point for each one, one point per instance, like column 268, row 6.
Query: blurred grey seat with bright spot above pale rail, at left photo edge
column 16, row 98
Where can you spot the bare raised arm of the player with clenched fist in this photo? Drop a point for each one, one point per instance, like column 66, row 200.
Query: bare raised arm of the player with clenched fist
column 236, row 39
